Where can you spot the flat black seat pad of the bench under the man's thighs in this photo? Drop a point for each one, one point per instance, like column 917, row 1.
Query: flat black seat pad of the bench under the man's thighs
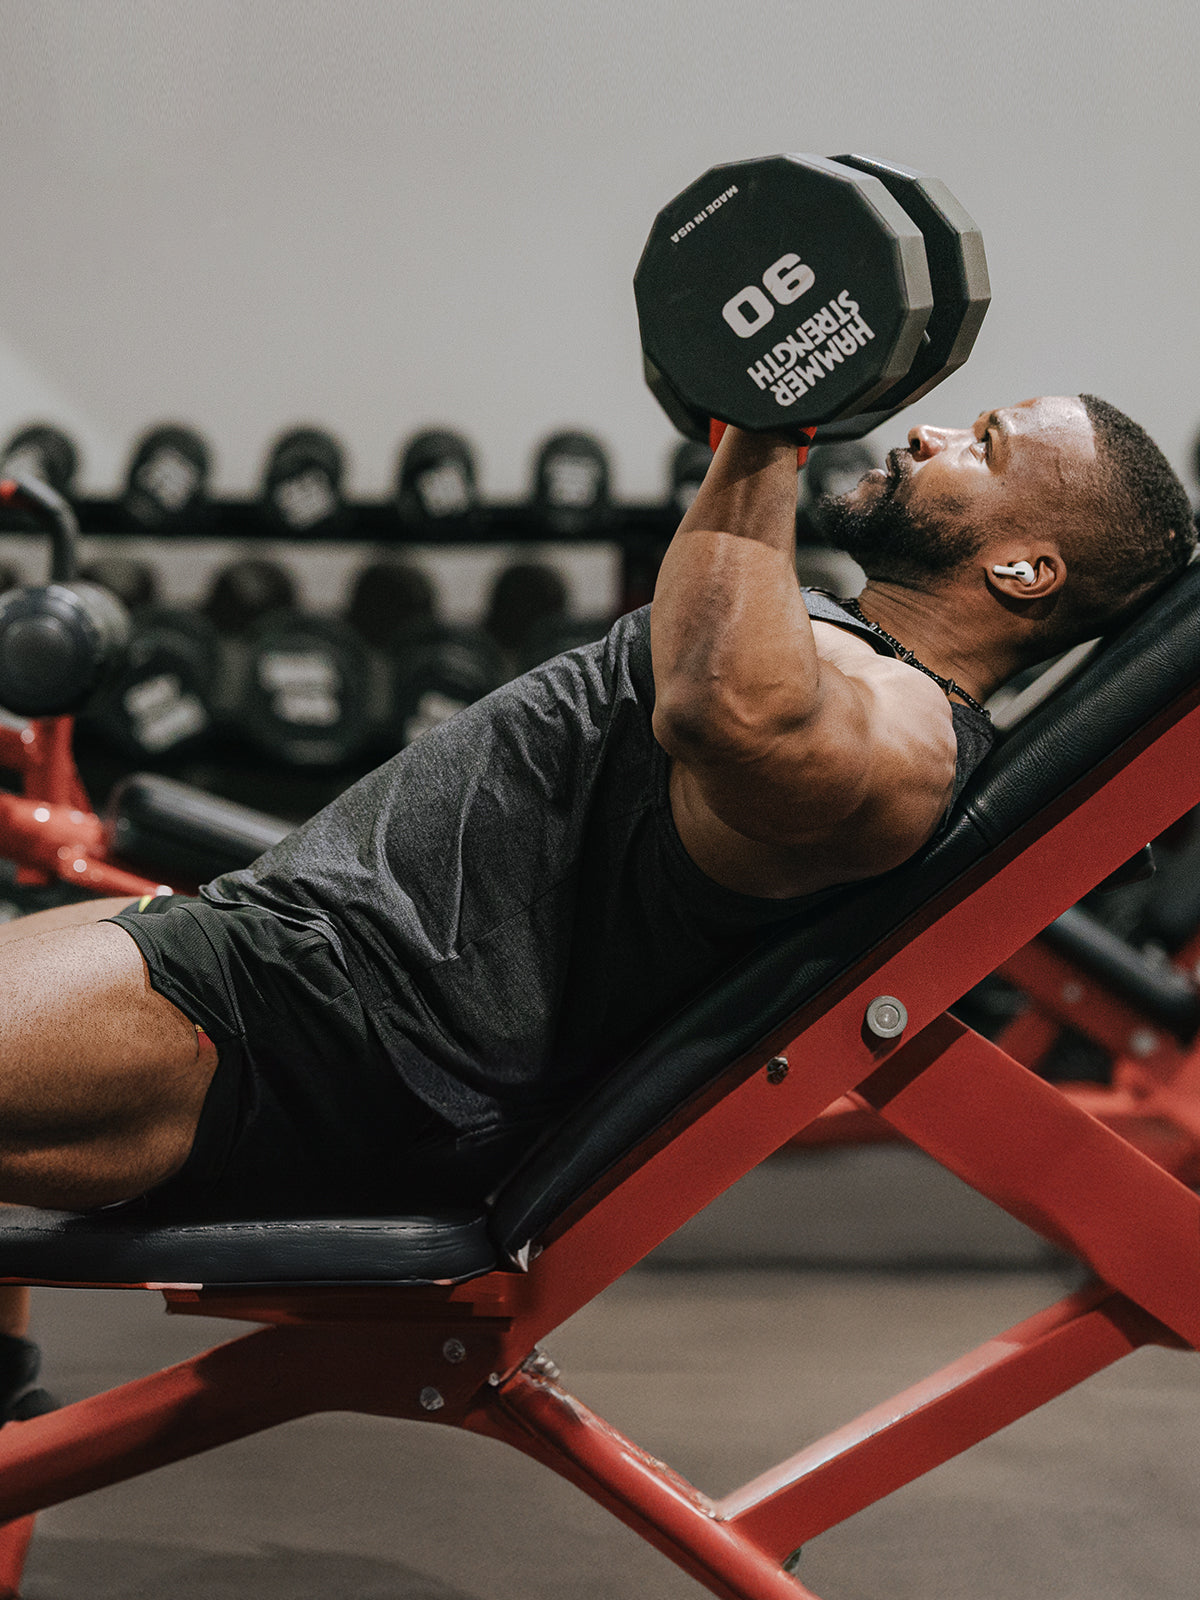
column 60, row 1247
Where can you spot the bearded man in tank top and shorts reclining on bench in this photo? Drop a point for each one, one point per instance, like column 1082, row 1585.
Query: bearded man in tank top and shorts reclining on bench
column 383, row 1010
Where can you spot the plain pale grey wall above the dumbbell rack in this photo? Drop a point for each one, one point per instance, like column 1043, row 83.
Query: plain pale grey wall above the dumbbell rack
column 380, row 215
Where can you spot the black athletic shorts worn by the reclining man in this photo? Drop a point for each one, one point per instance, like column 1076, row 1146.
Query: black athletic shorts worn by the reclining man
column 305, row 1116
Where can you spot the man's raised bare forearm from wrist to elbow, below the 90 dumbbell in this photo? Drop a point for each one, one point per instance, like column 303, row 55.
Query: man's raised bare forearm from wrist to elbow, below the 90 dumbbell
column 730, row 631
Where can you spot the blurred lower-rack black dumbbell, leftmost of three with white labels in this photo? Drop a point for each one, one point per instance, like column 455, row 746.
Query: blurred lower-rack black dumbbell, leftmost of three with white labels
column 161, row 705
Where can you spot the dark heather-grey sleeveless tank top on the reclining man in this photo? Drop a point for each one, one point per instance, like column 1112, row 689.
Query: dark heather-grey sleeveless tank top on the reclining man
column 510, row 895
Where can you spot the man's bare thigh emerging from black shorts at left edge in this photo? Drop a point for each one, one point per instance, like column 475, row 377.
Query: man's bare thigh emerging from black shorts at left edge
column 102, row 1079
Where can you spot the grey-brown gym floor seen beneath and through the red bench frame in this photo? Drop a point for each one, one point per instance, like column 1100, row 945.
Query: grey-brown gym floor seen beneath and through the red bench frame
column 721, row 1370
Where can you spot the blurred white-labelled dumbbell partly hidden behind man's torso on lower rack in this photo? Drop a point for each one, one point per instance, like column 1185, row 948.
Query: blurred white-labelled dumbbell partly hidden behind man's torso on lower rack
column 439, row 670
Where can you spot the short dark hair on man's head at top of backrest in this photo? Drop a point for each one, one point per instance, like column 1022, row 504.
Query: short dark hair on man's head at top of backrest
column 1145, row 521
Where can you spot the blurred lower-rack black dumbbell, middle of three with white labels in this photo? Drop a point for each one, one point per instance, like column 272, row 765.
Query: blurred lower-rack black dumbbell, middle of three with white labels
column 306, row 692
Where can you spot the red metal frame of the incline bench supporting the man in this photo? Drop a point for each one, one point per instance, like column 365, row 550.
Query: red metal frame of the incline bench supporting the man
column 466, row 1356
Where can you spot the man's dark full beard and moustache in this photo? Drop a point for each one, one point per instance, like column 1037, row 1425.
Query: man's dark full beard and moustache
column 894, row 543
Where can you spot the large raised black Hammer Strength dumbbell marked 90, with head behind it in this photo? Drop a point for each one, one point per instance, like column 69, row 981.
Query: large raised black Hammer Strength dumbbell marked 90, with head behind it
column 801, row 292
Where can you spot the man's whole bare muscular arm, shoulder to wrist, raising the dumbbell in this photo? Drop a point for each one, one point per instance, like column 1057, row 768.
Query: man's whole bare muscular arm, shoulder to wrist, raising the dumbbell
column 801, row 758
